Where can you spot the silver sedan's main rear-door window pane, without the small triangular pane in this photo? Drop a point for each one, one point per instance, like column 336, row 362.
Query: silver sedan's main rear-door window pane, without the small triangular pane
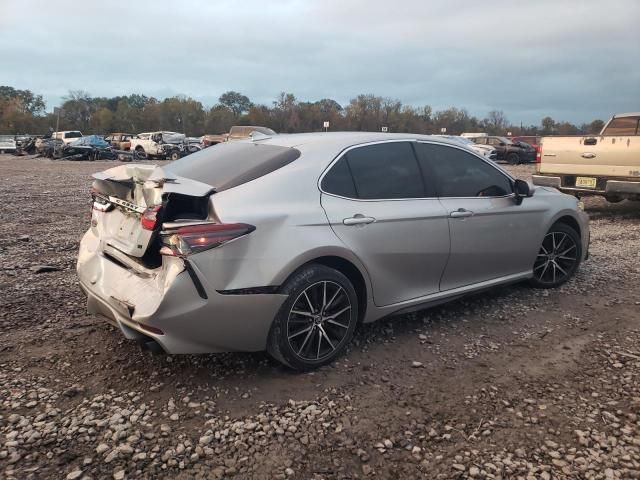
column 386, row 170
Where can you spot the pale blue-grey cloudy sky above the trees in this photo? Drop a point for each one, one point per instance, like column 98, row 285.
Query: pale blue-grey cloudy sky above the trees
column 575, row 60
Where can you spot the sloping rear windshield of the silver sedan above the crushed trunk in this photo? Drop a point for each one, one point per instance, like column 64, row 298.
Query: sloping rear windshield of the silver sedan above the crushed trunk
column 228, row 165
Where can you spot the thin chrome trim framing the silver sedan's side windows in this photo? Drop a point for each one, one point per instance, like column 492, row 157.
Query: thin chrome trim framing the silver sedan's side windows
column 410, row 140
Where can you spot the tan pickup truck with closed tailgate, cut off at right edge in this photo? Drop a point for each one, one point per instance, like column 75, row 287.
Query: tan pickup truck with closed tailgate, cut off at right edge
column 607, row 164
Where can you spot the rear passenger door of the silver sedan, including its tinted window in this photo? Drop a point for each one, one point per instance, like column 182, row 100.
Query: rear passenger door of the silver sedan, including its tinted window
column 377, row 203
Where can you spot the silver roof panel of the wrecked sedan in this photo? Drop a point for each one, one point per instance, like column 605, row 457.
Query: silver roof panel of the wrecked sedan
column 342, row 140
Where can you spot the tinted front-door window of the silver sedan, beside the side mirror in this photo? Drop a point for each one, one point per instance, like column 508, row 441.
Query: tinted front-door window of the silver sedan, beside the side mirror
column 461, row 174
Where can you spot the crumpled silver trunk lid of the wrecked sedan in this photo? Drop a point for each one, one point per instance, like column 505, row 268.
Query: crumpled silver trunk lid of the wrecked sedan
column 122, row 195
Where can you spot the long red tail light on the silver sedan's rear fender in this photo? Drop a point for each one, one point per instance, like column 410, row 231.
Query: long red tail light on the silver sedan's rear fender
column 196, row 238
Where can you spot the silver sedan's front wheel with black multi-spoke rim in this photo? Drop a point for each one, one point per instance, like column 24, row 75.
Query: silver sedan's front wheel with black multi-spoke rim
column 559, row 257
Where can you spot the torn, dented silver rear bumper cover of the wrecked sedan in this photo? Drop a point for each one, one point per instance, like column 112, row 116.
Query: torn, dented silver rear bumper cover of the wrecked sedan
column 165, row 306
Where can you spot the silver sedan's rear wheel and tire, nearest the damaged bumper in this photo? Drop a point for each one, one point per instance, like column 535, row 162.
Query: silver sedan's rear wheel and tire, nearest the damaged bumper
column 317, row 321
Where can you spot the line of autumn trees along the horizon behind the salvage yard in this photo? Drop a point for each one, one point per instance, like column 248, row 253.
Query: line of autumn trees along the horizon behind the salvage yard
column 22, row 111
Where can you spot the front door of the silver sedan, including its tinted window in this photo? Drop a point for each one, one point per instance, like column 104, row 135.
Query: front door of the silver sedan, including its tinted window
column 491, row 236
